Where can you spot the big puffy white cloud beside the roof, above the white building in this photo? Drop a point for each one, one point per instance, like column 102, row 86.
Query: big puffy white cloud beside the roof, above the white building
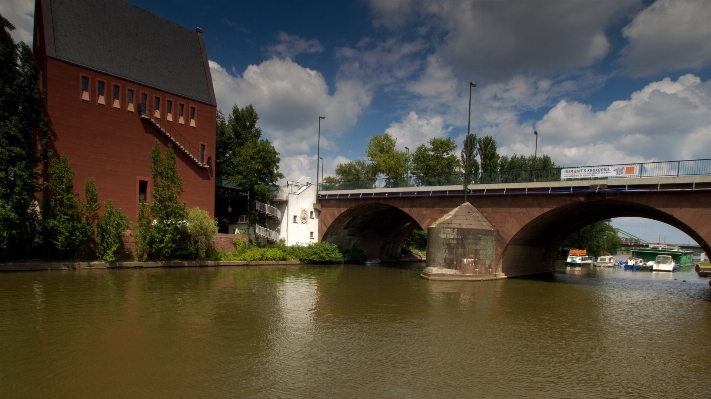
column 289, row 99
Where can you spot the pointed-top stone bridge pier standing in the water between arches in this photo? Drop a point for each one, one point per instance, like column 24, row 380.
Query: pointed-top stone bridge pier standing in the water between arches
column 461, row 245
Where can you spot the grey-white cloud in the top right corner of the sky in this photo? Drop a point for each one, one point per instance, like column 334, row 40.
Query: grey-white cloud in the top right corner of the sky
column 669, row 35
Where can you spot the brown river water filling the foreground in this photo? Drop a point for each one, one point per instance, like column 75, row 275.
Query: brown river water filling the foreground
column 352, row 331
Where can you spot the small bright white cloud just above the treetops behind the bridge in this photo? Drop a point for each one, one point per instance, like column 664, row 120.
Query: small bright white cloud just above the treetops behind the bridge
column 414, row 130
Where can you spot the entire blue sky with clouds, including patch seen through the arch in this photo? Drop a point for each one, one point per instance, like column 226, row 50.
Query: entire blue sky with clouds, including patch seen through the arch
column 602, row 82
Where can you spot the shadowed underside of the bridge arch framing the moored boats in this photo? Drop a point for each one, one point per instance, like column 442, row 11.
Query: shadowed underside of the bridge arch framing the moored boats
column 533, row 248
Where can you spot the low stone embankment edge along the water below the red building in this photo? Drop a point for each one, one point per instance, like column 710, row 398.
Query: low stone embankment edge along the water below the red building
column 37, row 266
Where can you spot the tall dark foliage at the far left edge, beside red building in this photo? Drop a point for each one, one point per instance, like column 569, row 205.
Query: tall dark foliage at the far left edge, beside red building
column 23, row 145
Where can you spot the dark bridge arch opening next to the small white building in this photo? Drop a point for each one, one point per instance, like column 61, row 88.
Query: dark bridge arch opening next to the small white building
column 377, row 228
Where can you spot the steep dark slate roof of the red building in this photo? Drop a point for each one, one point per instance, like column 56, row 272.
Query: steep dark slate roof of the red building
column 125, row 41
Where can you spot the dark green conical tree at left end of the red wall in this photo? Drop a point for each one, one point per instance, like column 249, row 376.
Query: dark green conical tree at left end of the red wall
column 65, row 226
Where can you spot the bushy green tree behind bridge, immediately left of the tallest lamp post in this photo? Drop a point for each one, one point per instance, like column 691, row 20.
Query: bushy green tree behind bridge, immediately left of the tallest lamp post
column 436, row 163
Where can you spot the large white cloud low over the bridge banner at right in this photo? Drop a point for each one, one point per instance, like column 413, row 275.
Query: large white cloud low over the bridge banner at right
column 666, row 120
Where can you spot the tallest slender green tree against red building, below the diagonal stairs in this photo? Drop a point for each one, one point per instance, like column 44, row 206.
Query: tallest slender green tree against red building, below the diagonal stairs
column 168, row 238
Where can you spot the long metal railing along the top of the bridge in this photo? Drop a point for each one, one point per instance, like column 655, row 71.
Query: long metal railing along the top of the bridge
column 693, row 167
